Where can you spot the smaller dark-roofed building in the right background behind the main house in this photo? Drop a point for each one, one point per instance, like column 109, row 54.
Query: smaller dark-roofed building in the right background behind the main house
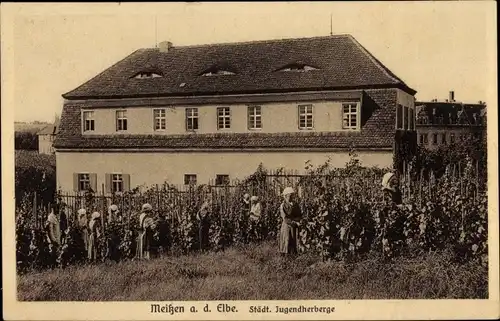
column 448, row 122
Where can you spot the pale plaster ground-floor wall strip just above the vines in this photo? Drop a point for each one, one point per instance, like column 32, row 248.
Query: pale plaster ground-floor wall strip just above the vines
column 148, row 168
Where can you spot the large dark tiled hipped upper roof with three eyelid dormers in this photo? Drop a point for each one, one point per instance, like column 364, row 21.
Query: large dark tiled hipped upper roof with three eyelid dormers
column 342, row 62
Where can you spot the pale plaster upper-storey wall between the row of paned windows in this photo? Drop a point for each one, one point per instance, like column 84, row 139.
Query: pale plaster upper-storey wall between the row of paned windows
column 276, row 117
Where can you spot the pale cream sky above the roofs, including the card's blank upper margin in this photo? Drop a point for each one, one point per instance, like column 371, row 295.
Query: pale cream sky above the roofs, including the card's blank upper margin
column 434, row 47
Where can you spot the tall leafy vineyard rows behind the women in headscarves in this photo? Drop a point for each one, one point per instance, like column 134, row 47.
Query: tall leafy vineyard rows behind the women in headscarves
column 345, row 217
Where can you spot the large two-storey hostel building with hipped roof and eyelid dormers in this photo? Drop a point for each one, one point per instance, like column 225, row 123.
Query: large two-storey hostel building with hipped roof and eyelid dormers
column 215, row 112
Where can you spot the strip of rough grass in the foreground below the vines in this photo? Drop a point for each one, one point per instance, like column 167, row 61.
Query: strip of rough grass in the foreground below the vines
column 257, row 273
